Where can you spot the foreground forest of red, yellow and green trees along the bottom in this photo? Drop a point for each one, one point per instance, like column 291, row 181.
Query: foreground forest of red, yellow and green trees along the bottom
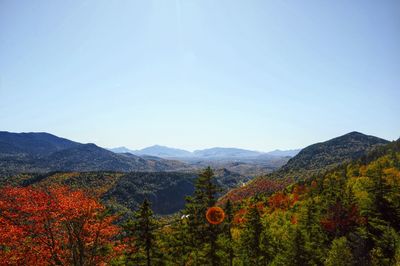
column 349, row 215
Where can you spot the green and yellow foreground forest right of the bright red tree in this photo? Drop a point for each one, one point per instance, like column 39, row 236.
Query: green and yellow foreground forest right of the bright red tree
column 349, row 216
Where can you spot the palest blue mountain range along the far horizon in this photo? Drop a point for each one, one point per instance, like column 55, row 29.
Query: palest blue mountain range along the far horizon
column 212, row 153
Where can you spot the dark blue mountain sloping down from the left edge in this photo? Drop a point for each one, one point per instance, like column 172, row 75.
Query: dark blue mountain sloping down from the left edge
column 42, row 152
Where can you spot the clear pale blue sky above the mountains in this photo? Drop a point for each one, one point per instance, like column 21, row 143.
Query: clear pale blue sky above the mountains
column 193, row 74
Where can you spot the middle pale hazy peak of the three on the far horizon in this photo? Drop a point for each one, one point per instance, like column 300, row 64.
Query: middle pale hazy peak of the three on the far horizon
column 225, row 152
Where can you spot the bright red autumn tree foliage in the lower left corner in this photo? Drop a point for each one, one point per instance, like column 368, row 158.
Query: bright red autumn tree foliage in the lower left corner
column 55, row 226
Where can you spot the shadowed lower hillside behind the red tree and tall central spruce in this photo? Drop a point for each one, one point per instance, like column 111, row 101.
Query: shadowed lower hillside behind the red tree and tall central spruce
column 166, row 191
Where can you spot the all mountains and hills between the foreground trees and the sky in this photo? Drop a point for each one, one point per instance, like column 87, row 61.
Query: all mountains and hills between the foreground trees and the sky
column 166, row 182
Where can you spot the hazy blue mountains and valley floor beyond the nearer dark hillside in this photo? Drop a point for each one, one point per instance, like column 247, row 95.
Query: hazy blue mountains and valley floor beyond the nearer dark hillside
column 44, row 152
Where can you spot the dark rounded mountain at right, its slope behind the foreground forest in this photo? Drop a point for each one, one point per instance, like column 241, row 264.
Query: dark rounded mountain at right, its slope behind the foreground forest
column 313, row 160
